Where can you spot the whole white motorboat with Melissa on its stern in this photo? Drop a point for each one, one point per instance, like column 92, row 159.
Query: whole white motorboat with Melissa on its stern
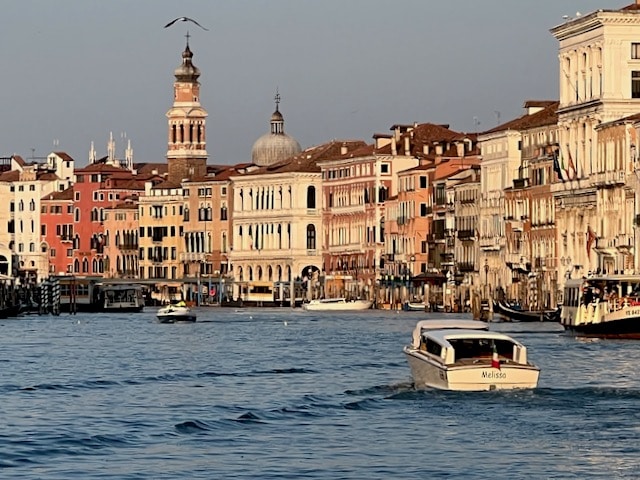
column 465, row 355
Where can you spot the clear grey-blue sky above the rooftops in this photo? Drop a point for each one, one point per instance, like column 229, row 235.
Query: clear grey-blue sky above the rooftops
column 75, row 71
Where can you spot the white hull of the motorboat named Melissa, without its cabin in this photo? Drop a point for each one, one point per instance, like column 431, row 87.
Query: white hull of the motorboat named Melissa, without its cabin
column 477, row 377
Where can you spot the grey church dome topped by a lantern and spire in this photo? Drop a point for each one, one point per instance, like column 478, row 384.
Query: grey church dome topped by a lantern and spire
column 276, row 146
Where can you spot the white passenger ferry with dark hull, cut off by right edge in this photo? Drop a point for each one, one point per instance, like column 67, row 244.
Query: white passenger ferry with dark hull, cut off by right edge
column 602, row 306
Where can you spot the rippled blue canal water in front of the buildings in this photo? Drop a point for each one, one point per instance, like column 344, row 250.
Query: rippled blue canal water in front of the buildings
column 281, row 394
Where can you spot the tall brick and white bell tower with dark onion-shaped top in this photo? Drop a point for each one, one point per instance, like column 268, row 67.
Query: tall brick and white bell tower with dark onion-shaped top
column 187, row 152
